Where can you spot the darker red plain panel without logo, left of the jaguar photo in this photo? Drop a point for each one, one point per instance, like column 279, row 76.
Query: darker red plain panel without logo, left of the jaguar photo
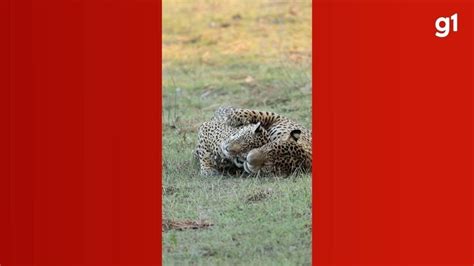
column 81, row 132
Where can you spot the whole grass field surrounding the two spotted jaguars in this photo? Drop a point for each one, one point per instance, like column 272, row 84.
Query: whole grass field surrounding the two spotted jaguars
column 252, row 54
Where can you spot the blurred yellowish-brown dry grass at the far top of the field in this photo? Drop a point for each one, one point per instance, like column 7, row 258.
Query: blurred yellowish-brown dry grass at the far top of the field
column 206, row 31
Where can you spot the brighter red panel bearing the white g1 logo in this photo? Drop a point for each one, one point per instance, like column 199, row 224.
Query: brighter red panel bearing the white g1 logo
column 393, row 139
